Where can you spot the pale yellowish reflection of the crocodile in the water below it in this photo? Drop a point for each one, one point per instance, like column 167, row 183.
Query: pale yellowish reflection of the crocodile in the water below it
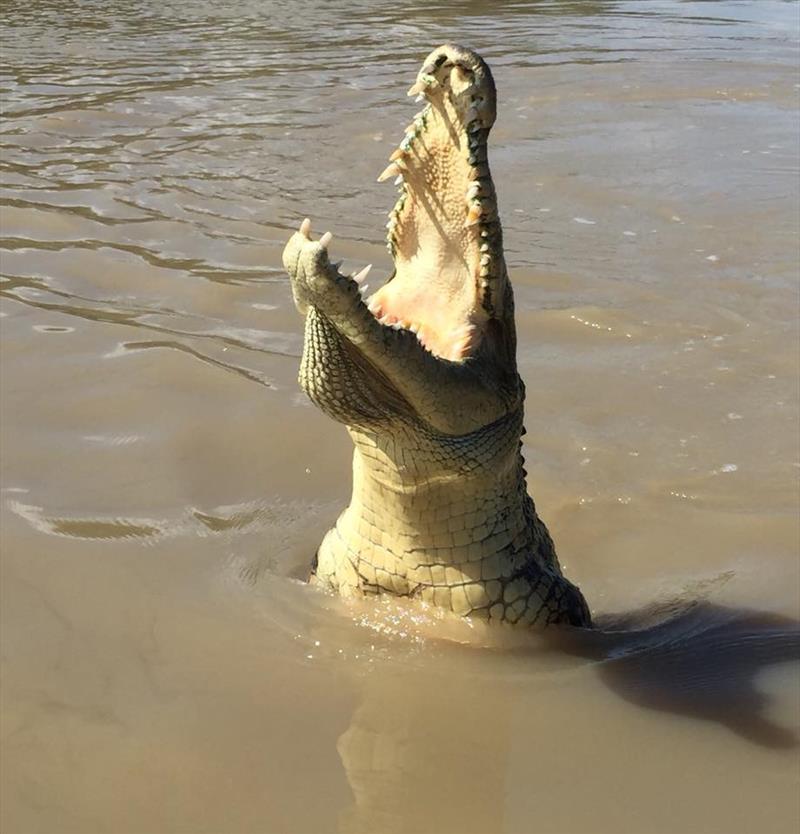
column 421, row 757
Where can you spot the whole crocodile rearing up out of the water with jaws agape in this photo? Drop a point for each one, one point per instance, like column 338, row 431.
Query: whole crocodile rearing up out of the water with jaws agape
column 422, row 372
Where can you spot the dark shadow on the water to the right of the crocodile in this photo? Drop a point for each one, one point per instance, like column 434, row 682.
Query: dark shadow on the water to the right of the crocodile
column 695, row 659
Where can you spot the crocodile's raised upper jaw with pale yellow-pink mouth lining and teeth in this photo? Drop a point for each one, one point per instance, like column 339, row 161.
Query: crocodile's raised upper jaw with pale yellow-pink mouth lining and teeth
column 443, row 233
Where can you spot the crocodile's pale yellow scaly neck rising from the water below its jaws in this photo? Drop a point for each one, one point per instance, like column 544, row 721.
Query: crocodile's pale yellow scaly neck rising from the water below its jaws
column 409, row 532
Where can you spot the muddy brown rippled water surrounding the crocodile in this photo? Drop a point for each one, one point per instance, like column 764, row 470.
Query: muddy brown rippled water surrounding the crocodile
column 165, row 483
